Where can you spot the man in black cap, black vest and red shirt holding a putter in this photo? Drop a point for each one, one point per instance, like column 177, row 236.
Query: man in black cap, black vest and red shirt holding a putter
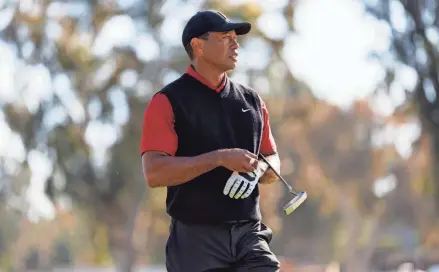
column 201, row 137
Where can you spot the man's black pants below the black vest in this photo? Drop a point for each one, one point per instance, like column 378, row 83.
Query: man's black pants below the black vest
column 230, row 247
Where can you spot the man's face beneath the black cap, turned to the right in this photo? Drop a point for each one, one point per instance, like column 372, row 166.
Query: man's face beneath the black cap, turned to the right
column 220, row 49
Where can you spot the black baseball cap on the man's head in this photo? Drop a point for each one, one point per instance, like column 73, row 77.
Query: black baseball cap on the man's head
column 211, row 21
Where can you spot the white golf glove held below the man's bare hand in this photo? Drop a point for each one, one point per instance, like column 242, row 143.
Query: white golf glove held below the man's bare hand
column 245, row 182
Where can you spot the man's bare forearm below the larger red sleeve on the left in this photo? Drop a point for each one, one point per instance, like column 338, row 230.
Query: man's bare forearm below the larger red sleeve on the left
column 164, row 170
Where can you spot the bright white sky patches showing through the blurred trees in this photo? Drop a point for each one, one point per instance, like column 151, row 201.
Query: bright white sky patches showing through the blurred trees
column 329, row 52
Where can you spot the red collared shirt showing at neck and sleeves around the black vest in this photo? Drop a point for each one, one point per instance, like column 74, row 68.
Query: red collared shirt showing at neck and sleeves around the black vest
column 158, row 124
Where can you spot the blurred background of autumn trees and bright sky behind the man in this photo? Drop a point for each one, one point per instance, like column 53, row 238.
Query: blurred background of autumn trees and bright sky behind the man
column 351, row 87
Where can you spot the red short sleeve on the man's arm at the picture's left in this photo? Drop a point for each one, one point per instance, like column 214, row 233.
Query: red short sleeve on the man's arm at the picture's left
column 158, row 132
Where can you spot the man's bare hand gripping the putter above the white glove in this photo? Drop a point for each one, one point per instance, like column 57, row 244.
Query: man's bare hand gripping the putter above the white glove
column 238, row 160
